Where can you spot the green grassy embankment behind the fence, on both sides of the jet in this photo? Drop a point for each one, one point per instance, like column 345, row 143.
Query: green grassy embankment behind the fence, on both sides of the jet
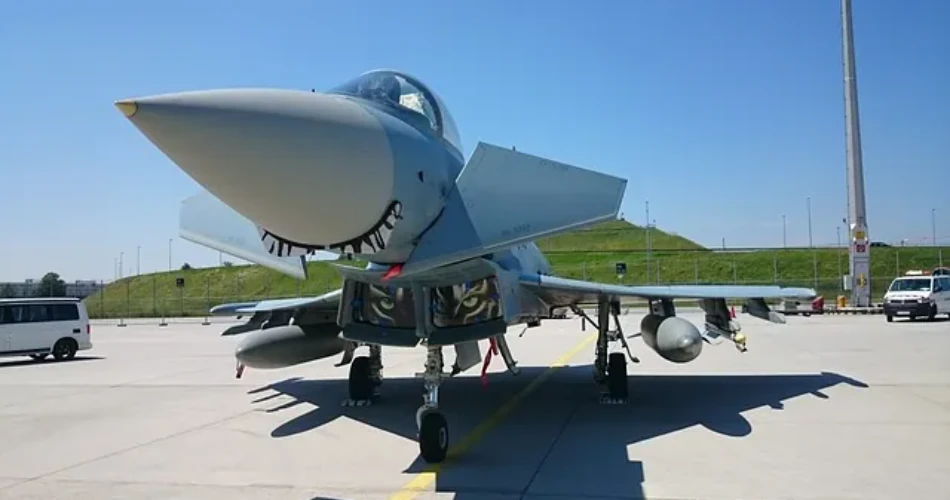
column 587, row 254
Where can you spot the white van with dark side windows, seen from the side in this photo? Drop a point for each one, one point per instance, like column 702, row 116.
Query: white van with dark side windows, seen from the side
column 43, row 326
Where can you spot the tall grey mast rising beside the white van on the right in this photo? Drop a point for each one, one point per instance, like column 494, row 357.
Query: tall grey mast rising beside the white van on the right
column 859, row 252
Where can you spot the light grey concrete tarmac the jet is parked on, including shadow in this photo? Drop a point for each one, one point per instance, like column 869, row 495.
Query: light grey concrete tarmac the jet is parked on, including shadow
column 843, row 407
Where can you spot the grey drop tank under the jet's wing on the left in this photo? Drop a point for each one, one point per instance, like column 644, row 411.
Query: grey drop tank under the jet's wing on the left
column 289, row 345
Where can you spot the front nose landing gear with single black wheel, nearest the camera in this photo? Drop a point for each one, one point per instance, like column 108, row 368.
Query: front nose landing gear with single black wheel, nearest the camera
column 433, row 428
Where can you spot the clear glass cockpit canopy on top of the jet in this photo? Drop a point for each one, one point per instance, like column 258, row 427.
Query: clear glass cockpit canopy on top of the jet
column 405, row 93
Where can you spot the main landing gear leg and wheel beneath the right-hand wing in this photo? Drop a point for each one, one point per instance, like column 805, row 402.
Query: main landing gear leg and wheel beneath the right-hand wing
column 610, row 369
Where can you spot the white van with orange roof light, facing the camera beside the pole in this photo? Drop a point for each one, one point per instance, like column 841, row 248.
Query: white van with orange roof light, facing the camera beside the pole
column 917, row 295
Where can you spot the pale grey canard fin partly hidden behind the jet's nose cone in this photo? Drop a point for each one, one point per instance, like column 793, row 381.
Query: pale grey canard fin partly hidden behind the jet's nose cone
column 208, row 221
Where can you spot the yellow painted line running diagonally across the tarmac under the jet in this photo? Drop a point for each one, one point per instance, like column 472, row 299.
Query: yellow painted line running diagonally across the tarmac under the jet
column 423, row 480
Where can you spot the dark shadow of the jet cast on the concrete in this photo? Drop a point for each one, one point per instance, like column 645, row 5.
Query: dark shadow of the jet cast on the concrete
column 594, row 444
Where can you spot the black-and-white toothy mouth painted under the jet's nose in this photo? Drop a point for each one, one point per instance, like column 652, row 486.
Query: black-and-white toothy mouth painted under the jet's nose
column 373, row 241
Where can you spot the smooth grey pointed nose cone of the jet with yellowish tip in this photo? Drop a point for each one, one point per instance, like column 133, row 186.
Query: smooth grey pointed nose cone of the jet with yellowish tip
column 309, row 168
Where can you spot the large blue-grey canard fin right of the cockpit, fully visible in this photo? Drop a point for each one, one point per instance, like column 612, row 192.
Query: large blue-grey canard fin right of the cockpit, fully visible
column 503, row 198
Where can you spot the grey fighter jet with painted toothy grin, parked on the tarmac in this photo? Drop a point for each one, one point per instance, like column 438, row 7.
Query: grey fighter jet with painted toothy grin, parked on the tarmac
column 374, row 169
